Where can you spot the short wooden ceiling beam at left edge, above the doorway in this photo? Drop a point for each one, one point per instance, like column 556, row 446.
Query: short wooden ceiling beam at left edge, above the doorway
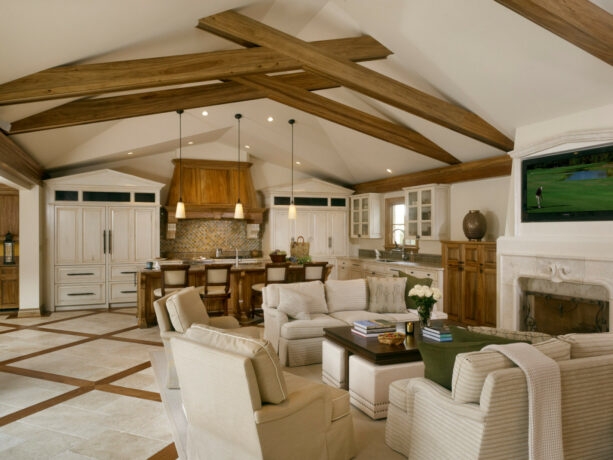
column 17, row 165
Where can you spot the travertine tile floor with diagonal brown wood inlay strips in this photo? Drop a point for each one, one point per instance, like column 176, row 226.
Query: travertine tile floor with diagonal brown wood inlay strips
column 78, row 385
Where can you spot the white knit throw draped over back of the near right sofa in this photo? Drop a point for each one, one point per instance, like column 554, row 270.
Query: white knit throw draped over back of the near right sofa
column 544, row 399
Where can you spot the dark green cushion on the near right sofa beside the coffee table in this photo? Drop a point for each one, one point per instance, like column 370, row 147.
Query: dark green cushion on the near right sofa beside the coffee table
column 439, row 359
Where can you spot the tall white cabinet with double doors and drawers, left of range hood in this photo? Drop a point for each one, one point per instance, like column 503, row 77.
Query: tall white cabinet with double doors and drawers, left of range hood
column 101, row 228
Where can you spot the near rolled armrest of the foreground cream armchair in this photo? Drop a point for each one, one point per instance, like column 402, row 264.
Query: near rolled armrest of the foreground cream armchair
column 296, row 402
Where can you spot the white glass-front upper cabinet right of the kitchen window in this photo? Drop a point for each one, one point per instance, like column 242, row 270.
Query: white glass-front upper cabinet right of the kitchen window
column 427, row 212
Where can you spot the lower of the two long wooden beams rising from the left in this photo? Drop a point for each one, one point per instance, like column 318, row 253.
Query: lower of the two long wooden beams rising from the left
column 86, row 111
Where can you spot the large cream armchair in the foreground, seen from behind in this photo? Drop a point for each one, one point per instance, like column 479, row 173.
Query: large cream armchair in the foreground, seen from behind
column 227, row 419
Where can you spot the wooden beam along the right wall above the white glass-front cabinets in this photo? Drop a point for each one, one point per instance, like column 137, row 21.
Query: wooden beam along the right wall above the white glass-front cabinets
column 473, row 170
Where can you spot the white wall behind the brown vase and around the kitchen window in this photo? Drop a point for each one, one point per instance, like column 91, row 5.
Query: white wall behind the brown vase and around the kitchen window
column 490, row 196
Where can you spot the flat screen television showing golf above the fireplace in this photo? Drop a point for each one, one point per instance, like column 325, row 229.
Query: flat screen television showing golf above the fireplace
column 570, row 186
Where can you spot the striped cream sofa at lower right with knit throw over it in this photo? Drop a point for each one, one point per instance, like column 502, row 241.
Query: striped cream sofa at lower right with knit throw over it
column 485, row 415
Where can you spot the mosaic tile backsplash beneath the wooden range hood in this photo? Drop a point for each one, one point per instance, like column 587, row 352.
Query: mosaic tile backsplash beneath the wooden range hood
column 202, row 237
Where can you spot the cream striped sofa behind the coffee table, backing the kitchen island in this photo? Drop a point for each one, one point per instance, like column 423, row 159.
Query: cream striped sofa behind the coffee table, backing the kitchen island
column 299, row 341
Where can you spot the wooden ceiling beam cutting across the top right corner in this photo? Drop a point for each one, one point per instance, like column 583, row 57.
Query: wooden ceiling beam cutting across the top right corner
column 581, row 22
